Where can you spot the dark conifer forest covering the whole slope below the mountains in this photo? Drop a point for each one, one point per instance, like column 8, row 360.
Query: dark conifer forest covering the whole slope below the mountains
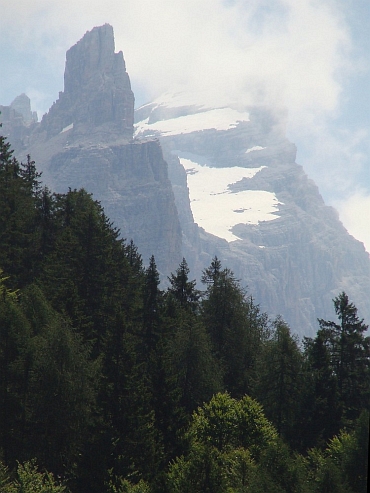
column 109, row 383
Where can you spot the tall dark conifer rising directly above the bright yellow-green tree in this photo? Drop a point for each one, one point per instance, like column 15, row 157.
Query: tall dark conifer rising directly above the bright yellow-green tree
column 235, row 325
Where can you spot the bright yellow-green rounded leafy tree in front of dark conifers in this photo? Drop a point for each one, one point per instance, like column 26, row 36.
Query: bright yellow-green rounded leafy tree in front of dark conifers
column 226, row 436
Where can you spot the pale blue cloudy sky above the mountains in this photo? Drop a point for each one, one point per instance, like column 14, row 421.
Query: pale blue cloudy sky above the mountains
column 313, row 56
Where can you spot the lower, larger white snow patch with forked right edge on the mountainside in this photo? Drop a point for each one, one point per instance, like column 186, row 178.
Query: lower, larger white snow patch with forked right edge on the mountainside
column 216, row 208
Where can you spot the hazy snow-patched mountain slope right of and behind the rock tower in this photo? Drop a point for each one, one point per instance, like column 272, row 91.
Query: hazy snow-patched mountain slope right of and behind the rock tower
column 256, row 209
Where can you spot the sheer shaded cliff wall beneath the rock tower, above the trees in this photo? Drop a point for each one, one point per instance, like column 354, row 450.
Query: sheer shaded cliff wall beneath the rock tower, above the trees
column 131, row 183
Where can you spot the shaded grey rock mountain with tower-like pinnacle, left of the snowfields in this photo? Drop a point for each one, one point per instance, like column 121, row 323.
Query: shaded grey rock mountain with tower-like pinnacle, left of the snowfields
column 86, row 141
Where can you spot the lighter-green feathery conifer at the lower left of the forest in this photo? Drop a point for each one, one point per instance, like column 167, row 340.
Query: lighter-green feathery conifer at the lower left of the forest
column 61, row 390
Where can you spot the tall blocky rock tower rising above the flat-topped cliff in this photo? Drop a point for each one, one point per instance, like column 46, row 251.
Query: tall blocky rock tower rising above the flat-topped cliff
column 97, row 89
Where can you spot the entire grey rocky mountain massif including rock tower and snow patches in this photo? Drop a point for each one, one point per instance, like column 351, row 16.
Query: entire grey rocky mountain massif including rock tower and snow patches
column 196, row 179
